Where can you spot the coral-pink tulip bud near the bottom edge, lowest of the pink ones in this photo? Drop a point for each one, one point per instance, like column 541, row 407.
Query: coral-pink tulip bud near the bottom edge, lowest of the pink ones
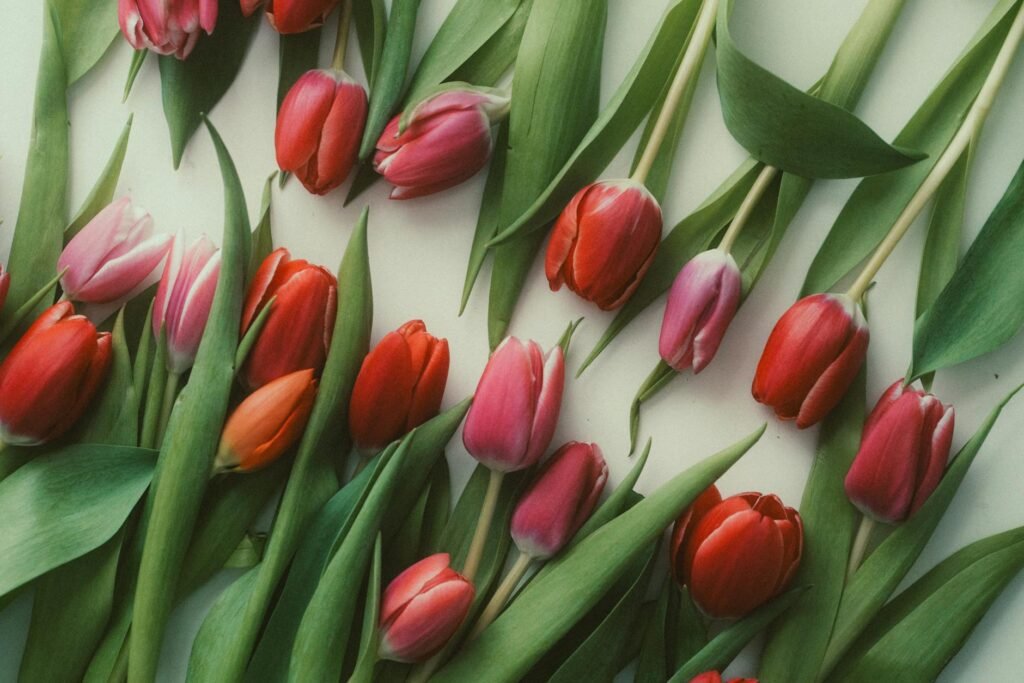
column 422, row 609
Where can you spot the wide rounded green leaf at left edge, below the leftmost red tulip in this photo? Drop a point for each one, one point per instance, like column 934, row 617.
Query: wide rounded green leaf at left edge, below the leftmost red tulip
column 90, row 491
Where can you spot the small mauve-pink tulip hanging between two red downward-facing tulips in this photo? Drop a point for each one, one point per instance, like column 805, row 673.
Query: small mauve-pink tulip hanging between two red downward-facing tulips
column 702, row 303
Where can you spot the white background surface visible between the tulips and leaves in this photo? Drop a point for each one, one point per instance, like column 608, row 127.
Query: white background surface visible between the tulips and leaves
column 419, row 249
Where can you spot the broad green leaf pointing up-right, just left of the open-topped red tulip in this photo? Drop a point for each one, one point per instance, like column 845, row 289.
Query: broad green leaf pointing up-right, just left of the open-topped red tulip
column 581, row 577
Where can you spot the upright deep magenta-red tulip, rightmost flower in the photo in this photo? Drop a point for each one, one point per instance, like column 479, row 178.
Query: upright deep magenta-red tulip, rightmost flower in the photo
column 904, row 453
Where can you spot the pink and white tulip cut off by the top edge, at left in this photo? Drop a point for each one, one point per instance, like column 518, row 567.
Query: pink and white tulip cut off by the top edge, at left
column 166, row 27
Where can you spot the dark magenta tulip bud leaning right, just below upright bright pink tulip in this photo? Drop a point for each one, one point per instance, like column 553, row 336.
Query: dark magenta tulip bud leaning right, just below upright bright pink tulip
column 560, row 501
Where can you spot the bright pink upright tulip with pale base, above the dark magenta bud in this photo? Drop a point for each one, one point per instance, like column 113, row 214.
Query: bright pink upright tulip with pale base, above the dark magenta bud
column 516, row 409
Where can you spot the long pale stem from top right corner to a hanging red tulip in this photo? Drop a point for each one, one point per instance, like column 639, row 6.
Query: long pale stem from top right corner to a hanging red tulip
column 970, row 129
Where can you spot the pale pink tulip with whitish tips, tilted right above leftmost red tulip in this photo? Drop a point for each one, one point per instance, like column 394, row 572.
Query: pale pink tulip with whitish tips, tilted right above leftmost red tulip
column 115, row 257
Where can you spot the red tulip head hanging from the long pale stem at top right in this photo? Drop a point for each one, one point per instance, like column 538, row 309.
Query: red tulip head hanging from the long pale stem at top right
column 813, row 357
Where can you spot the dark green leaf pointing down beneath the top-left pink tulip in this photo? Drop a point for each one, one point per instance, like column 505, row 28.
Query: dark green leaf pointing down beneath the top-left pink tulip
column 193, row 88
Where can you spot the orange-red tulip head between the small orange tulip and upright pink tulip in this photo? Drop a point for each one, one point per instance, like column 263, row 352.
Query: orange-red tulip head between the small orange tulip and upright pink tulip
column 400, row 387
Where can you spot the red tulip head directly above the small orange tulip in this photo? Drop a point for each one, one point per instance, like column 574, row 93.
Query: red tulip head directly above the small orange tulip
column 297, row 331
